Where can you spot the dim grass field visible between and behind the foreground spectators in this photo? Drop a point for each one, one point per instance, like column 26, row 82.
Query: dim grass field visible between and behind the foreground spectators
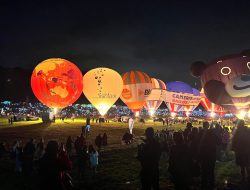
column 118, row 168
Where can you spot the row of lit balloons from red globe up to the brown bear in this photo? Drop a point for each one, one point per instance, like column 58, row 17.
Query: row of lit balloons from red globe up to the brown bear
column 58, row 83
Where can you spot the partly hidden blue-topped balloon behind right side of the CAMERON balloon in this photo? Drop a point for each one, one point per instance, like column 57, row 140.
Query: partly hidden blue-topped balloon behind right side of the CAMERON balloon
column 192, row 103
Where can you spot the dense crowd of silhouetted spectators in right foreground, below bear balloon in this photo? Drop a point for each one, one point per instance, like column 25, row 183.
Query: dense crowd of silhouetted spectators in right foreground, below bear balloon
column 192, row 154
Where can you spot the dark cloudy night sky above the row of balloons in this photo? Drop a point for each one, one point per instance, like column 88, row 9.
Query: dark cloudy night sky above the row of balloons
column 161, row 38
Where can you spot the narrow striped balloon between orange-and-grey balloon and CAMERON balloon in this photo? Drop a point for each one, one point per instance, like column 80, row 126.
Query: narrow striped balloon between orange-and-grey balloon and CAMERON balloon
column 156, row 96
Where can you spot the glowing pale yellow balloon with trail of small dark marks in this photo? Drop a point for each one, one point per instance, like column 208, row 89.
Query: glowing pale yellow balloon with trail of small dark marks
column 102, row 87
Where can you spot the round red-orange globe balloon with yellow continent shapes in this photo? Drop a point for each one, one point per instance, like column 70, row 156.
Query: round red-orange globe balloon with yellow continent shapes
column 57, row 82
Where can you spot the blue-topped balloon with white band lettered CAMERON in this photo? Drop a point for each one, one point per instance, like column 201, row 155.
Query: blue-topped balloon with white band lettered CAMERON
column 178, row 95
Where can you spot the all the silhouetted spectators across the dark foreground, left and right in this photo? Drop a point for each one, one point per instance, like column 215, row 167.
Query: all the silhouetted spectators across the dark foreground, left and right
column 191, row 154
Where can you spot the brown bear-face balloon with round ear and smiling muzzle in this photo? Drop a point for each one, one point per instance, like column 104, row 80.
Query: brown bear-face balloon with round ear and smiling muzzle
column 226, row 80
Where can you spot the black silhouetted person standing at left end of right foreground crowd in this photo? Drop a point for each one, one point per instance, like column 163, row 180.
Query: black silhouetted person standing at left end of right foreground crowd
column 149, row 155
